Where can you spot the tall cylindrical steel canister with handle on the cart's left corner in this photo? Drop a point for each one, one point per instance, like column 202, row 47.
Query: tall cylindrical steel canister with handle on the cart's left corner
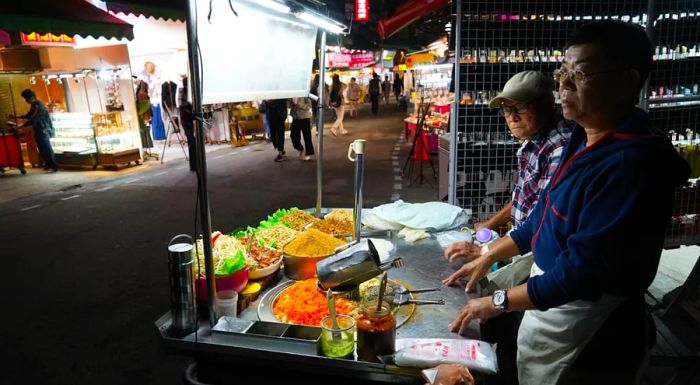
column 183, row 305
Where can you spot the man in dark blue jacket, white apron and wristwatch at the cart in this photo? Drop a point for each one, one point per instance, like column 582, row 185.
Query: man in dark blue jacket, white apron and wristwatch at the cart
column 598, row 228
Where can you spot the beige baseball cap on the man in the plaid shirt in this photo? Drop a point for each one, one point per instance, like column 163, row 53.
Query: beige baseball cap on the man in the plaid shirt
column 524, row 87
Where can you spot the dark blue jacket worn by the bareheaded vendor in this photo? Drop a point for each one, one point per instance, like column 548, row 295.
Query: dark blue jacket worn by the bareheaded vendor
column 599, row 226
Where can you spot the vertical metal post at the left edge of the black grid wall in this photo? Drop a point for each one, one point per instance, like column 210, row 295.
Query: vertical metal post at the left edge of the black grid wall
column 454, row 126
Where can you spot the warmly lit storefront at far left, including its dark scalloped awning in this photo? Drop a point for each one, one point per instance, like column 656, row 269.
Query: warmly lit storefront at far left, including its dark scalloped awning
column 88, row 92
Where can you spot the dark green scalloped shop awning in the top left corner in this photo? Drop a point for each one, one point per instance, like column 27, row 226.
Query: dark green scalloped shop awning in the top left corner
column 69, row 17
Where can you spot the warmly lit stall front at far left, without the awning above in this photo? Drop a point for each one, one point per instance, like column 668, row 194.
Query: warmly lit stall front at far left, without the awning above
column 89, row 95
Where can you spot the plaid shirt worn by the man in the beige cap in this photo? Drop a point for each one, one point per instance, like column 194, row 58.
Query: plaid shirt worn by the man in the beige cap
column 538, row 159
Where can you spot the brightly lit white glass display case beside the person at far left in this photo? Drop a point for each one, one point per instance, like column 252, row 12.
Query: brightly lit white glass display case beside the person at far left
column 74, row 140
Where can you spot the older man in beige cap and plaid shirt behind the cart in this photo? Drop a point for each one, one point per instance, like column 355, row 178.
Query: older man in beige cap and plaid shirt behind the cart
column 527, row 103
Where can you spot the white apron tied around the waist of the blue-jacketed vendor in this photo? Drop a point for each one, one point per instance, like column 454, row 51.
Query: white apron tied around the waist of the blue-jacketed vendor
column 550, row 341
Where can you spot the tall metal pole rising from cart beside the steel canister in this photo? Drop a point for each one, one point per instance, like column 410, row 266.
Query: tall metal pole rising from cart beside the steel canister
column 195, row 81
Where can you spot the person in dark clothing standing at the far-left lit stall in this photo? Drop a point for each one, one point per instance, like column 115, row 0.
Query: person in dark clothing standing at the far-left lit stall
column 38, row 117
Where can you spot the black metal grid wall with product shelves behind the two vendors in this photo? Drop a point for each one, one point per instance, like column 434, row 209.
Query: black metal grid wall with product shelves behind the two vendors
column 501, row 38
